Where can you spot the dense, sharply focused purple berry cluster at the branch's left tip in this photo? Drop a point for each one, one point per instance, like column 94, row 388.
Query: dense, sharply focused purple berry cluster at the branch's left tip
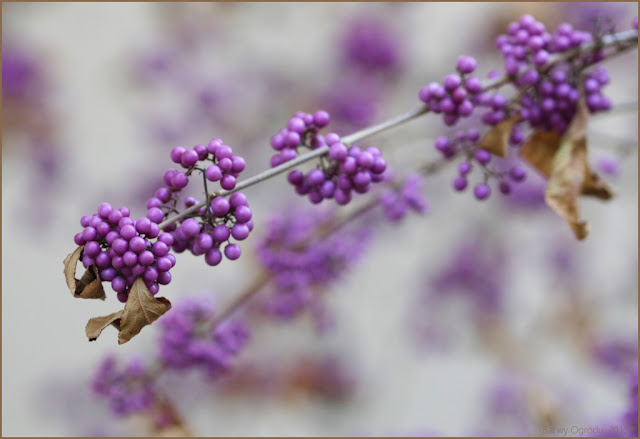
column 123, row 249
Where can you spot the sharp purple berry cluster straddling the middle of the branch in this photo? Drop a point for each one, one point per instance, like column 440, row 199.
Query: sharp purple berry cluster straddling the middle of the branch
column 343, row 171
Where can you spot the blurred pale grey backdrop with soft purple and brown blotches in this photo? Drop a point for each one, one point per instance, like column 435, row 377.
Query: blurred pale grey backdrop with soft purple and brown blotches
column 473, row 319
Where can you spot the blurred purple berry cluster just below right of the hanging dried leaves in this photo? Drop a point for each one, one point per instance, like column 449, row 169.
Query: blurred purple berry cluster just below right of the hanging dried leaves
column 188, row 340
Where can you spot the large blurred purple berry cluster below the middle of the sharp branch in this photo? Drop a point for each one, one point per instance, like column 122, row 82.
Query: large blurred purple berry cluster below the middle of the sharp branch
column 300, row 258
